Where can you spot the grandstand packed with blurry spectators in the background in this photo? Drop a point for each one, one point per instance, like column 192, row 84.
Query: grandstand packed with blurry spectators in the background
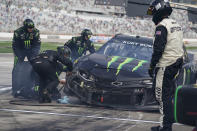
column 69, row 17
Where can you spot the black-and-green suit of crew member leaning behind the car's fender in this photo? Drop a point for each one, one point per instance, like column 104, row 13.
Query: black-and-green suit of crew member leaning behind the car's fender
column 79, row 46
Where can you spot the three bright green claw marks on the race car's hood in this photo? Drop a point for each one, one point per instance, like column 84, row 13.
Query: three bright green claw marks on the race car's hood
column 126, row 61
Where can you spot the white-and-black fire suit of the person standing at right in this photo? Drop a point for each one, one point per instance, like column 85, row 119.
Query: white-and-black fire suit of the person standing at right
column 166, row 64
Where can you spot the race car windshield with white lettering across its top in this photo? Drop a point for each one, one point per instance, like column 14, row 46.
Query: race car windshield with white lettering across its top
column 127, row 48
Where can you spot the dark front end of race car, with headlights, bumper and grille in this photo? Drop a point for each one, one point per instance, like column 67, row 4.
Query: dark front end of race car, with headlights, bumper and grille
column 135, row 94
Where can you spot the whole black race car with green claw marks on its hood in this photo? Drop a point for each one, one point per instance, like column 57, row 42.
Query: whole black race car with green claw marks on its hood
column 117, row 74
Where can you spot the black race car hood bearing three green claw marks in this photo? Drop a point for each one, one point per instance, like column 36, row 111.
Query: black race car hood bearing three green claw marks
column 115, row 67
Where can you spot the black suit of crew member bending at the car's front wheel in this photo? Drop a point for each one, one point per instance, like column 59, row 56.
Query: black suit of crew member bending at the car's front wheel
column 48, row 65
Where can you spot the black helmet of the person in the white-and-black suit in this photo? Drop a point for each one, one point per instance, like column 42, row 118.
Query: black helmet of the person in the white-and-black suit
column 159, row 9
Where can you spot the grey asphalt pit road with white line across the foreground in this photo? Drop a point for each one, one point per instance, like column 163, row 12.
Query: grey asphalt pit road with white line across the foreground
column 56, row 117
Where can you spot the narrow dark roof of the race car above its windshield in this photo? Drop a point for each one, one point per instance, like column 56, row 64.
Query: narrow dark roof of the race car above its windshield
column 139, row 39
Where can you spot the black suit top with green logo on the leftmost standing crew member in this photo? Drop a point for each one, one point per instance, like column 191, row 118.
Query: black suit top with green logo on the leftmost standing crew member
column 25, row 44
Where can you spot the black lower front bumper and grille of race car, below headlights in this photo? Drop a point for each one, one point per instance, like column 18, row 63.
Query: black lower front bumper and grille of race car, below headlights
column 126, row 98
